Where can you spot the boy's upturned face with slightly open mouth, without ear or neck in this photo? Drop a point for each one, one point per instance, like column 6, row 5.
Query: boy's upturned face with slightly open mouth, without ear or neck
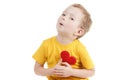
column 70, row 20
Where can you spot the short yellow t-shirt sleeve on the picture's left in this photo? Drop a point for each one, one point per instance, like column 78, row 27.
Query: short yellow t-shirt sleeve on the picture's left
column 40, row 54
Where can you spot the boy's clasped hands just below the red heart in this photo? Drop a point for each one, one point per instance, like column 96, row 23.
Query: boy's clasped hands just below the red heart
column 63, row 71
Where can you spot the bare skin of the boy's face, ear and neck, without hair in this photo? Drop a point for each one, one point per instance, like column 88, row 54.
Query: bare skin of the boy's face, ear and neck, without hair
column 68, row 25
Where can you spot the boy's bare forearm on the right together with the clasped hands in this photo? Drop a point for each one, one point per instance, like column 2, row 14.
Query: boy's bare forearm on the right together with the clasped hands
column 67, row 71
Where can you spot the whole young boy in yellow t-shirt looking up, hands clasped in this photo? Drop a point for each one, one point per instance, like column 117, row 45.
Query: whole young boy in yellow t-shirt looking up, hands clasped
column 74, row 22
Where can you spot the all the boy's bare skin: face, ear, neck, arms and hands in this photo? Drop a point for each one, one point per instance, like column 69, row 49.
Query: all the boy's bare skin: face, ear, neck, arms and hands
column 68, row 29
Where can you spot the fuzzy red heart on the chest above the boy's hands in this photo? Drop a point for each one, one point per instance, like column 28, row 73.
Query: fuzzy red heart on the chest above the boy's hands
column 67, row 58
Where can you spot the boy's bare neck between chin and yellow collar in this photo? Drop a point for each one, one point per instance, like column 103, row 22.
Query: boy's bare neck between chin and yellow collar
column 64, row 39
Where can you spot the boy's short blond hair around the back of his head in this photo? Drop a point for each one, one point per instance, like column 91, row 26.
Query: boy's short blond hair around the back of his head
column 86, row 21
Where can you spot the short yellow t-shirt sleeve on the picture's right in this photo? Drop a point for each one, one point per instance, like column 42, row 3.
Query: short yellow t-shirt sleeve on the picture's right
column 86, row 60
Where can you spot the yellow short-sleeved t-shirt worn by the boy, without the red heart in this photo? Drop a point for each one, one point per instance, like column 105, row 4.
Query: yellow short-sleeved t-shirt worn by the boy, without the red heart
column 50, row 51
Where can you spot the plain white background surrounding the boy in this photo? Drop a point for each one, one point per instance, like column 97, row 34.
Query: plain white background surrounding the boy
column 25, row 23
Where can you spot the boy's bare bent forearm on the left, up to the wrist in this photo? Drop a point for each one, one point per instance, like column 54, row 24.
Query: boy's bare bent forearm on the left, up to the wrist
column 40, row 70
